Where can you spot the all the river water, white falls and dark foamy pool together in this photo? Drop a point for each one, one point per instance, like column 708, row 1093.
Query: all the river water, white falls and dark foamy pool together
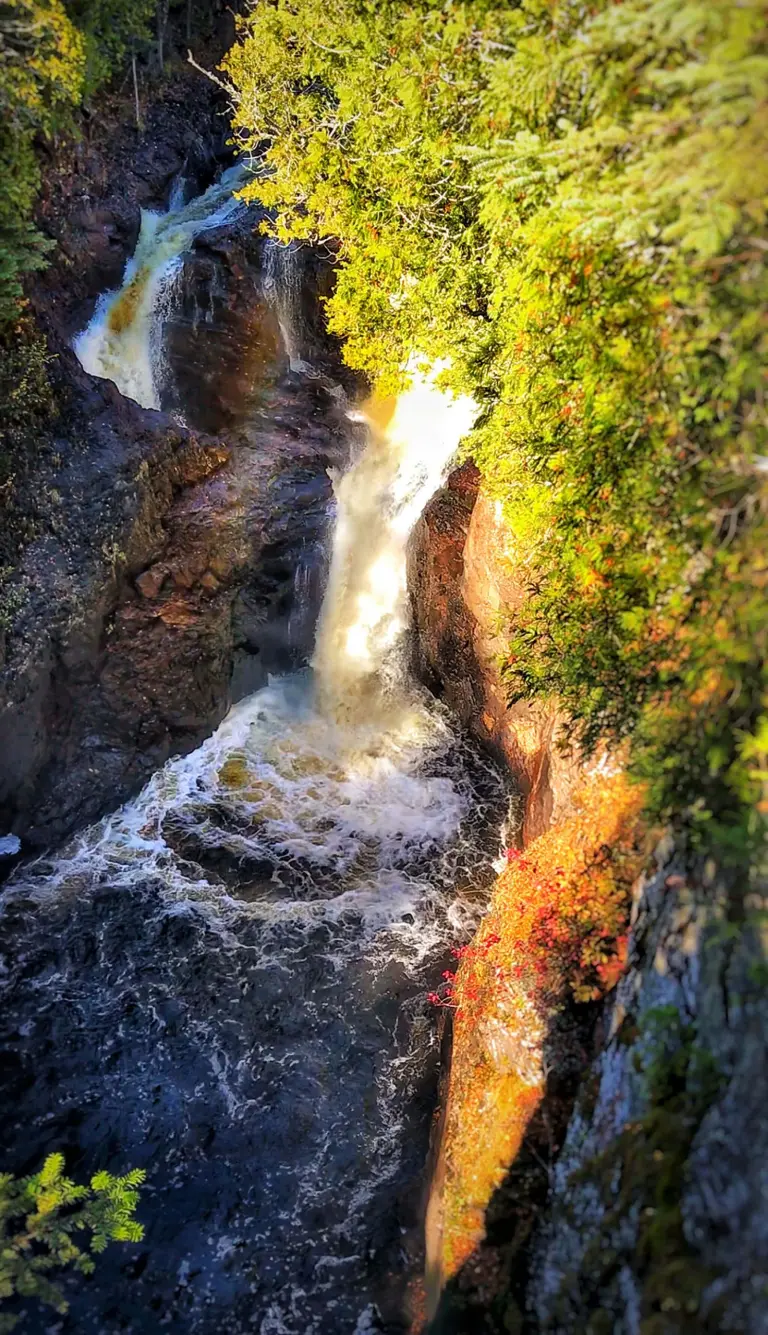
column 225, row 981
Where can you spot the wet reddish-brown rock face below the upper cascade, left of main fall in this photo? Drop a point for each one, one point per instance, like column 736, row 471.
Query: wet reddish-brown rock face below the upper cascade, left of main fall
column 138, row 613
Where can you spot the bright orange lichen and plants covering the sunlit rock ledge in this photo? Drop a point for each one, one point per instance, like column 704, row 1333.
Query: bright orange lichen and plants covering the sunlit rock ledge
column 556, row 928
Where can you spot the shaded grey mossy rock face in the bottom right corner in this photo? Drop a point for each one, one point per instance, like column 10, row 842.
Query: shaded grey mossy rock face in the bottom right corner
column 659, row 1206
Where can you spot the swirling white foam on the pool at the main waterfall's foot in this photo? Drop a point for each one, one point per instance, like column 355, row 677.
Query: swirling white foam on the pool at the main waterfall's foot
column 281, row 782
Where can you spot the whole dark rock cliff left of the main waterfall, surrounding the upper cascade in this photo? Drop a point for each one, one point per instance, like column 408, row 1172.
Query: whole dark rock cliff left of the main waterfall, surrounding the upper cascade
column 162, row 571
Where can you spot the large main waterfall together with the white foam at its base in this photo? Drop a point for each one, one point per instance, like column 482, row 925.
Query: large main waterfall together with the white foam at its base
column 323, row 772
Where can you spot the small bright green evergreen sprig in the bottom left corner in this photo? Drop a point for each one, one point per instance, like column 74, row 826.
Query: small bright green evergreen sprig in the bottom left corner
column 41, row 1218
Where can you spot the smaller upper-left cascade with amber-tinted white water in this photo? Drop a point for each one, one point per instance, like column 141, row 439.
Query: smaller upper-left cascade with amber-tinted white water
column 122, row 341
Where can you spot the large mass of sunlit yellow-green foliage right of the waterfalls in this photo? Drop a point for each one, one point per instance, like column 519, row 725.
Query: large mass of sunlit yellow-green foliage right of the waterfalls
column 570, row 202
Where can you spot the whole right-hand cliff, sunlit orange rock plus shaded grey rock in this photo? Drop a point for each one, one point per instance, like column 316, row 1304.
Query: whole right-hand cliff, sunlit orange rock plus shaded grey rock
column 636, row 1205
